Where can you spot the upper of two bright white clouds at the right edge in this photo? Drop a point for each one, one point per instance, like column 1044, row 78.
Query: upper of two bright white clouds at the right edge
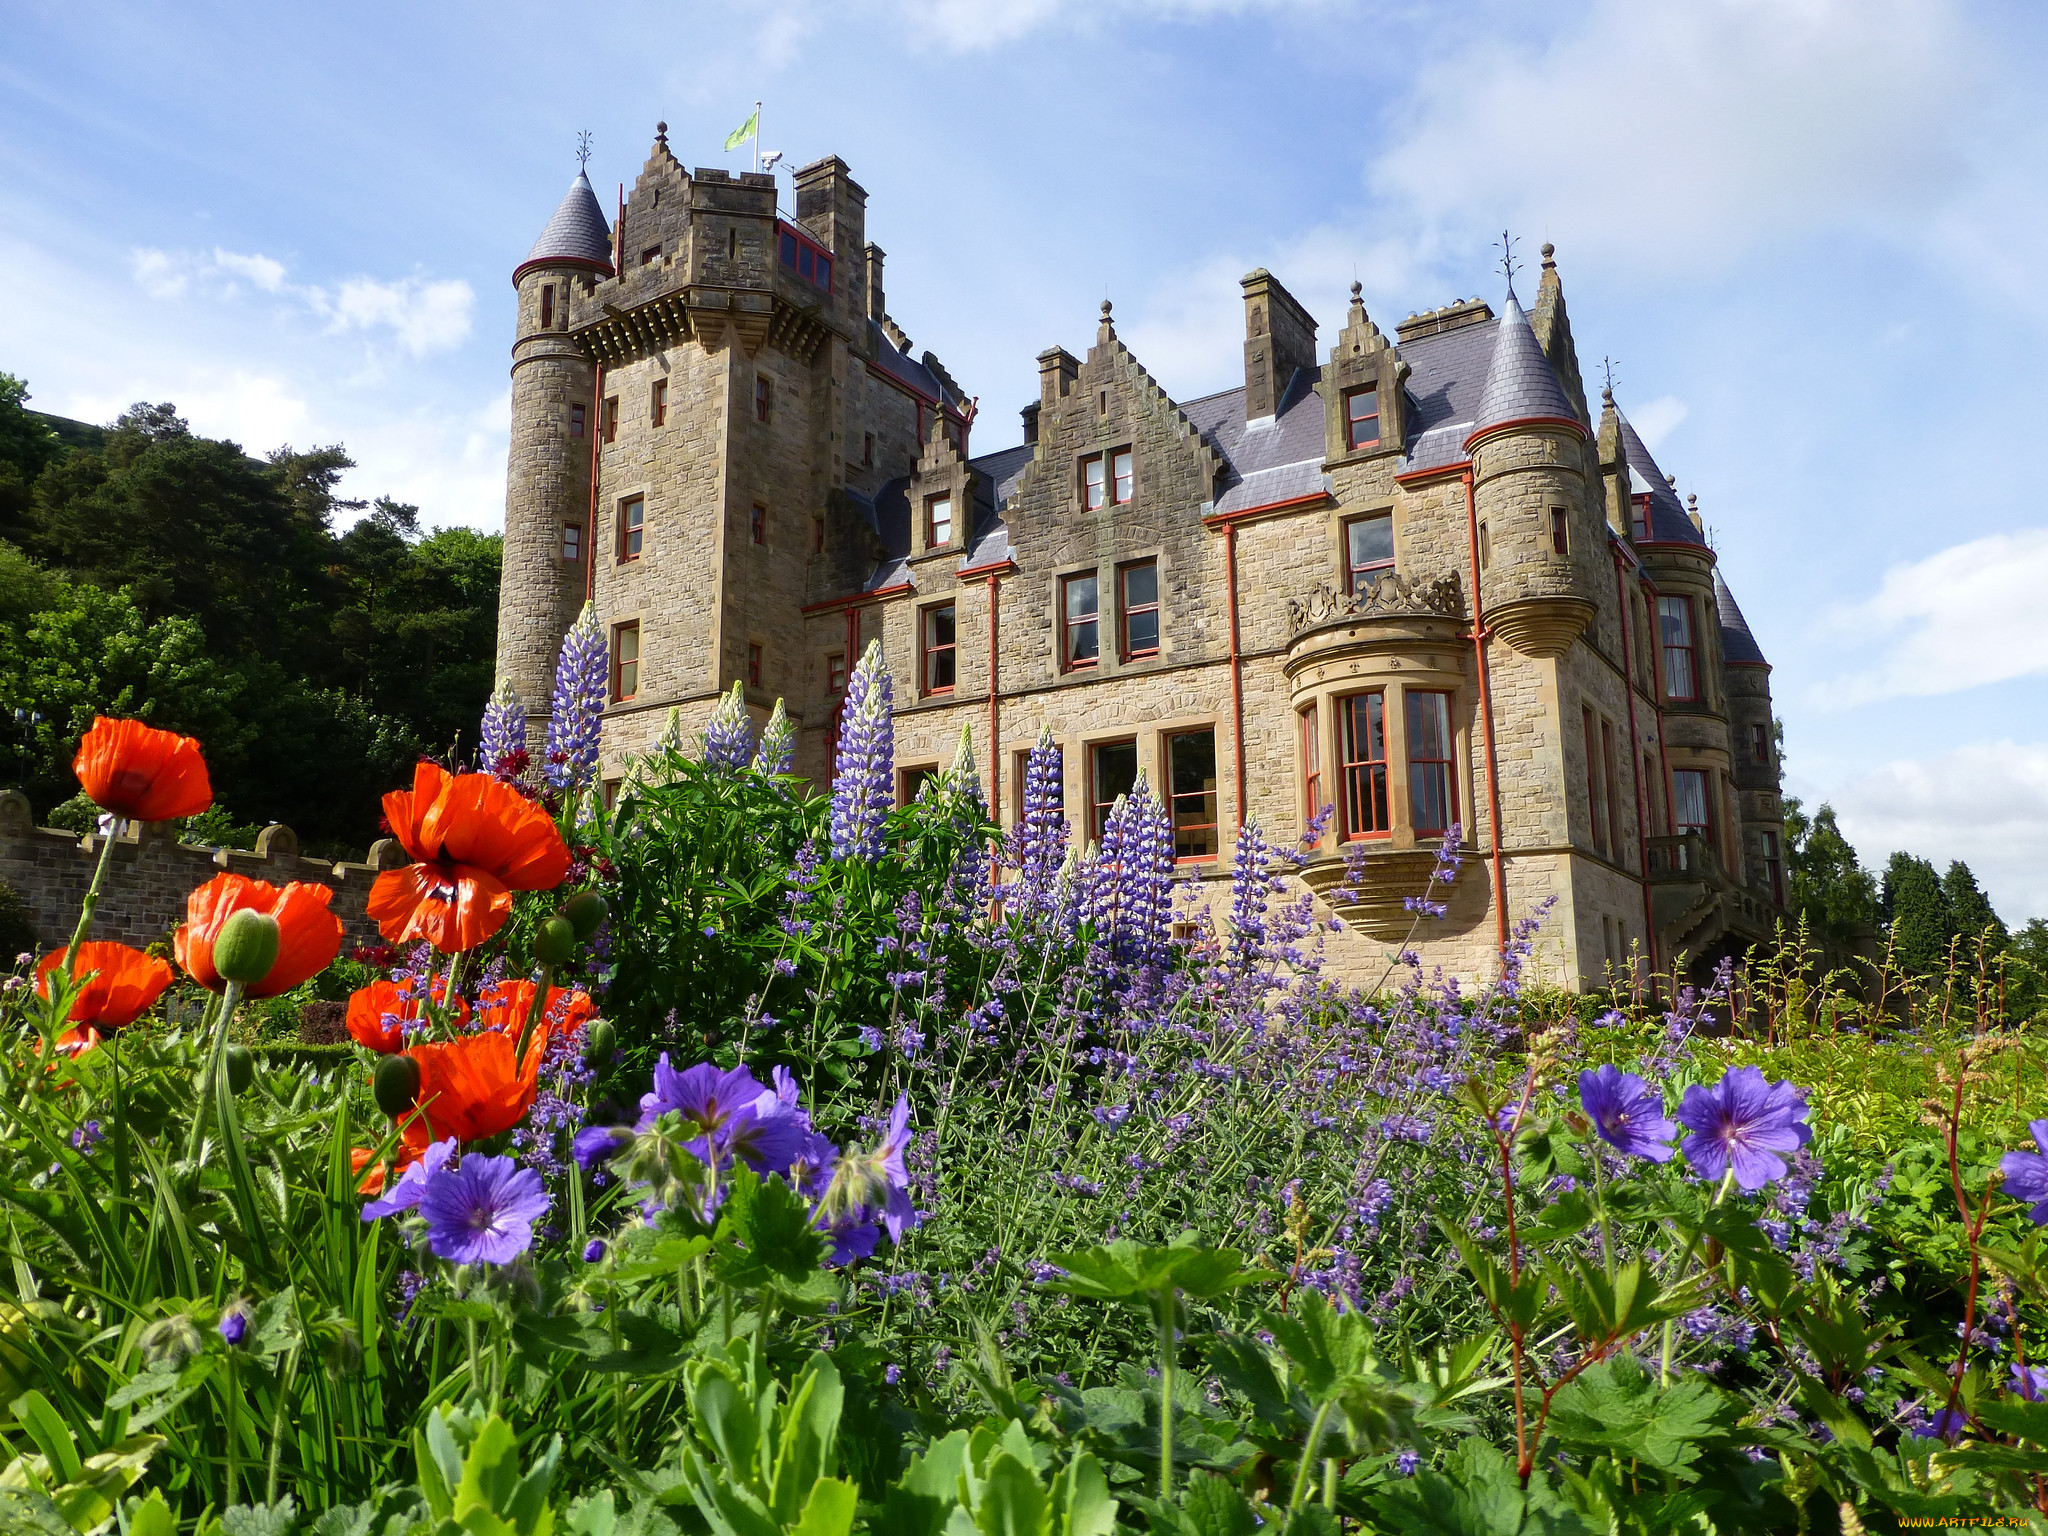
column 1959, row 620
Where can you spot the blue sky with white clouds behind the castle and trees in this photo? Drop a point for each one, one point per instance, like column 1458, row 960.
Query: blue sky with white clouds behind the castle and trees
column 1809, row 232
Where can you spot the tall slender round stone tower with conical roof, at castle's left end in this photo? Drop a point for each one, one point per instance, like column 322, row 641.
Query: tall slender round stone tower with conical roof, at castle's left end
column 554, row 427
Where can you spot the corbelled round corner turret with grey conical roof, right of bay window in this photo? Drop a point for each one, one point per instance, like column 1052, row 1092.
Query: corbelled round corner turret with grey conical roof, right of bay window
column 1537, row 534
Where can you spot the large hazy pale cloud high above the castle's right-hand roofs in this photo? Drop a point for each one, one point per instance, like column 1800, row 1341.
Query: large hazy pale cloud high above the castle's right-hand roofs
column 1682, row 134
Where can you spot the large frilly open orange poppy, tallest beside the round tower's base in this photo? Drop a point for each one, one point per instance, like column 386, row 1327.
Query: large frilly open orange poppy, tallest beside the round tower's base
column 476, row 843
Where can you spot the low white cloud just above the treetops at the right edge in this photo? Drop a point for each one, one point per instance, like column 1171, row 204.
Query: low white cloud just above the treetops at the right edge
column 1983, row 804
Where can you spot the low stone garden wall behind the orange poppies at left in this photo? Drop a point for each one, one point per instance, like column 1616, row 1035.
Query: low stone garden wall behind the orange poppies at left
column 153, row 873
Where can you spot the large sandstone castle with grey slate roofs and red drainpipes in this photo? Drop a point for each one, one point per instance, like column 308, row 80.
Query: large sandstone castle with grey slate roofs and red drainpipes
column 1410, row 579
